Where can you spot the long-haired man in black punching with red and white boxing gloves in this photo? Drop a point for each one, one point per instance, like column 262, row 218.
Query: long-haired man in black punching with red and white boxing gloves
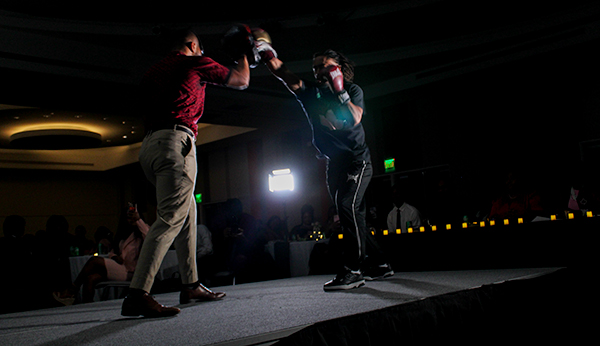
column 334, row 107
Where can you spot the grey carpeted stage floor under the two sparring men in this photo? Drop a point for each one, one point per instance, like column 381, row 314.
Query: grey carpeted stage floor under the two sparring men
column 252, row 314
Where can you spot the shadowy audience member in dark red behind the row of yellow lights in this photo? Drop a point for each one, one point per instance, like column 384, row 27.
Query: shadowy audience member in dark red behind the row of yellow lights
column 515, row 200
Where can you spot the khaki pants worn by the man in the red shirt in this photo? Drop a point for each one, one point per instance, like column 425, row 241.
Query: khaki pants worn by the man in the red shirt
column 168, row 158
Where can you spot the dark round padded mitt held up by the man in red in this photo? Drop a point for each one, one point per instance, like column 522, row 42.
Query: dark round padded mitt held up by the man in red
column 238, row 41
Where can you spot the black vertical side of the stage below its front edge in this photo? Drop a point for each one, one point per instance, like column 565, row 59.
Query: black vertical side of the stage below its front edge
column 531, row 311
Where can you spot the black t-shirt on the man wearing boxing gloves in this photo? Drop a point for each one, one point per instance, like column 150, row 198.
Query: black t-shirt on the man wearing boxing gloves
column 334, row 133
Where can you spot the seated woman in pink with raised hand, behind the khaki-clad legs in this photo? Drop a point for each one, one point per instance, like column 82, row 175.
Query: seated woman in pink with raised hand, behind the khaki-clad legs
column 121, row 262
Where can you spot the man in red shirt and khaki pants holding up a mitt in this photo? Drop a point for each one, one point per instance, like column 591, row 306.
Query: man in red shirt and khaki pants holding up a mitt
column 173, row 92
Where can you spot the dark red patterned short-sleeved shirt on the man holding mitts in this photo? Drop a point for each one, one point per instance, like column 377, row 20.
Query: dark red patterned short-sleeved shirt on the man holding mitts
column 174, row 90
